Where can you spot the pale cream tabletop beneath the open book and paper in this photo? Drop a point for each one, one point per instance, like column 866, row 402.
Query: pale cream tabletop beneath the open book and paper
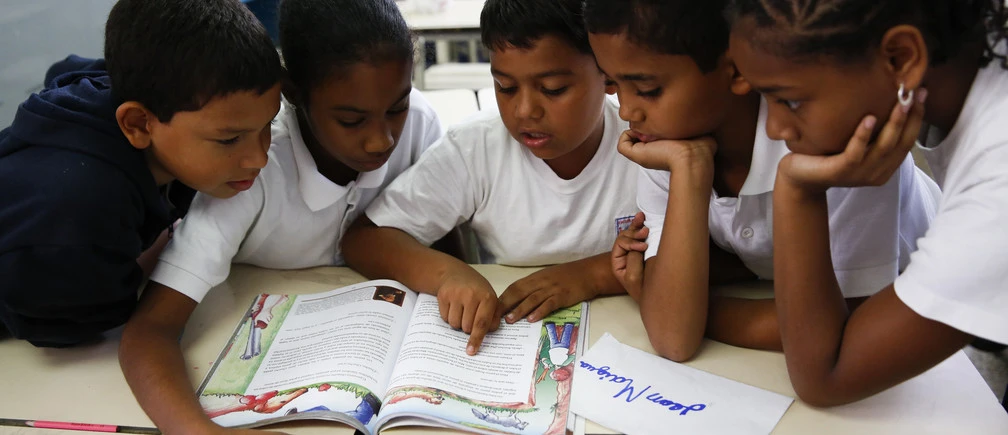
column 85, row 385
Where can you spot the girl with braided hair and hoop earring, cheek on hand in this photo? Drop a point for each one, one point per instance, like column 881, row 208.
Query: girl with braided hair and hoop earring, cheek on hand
column 852, row 82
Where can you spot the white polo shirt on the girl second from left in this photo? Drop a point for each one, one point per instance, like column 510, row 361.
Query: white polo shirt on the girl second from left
column 293, row 217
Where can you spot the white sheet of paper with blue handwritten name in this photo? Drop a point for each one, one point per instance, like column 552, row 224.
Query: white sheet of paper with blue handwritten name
column 635, row 392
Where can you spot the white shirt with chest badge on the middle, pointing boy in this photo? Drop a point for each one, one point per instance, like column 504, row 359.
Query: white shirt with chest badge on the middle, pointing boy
column 521, row 212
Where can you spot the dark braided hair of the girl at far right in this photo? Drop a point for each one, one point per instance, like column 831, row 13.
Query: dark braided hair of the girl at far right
column 848, row 30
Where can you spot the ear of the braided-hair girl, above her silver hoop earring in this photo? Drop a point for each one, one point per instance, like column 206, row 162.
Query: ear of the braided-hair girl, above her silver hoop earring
column 906, row 54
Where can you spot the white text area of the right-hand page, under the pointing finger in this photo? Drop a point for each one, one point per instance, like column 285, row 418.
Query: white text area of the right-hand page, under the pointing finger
column 434, row 356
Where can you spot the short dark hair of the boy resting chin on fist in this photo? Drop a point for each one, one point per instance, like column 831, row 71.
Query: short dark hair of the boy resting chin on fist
column 696, row 29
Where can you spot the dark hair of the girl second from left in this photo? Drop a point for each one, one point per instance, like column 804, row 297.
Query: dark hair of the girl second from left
column 321, row 39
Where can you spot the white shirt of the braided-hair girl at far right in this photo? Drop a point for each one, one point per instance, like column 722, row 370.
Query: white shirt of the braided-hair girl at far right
column 960, row 275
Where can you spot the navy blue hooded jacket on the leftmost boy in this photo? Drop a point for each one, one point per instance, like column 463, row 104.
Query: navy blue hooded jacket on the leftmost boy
column 78, row 206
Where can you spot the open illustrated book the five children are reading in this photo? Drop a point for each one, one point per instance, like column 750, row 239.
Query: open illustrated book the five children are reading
column 377, row 355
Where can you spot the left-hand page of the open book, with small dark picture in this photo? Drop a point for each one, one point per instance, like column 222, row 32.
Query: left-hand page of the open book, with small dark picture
column 325, row 352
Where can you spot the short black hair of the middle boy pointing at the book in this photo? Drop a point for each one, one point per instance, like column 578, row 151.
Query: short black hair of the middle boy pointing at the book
column 521, row 24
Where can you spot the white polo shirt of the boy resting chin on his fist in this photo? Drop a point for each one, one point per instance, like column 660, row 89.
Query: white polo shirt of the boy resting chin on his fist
column 872, row 230
